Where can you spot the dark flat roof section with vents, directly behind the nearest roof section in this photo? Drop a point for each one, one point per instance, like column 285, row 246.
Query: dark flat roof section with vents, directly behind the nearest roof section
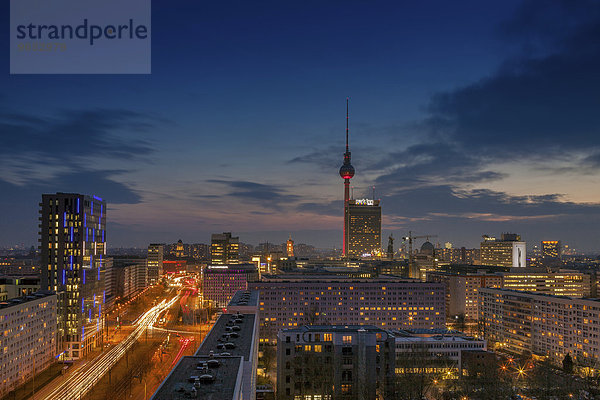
column 232, row 334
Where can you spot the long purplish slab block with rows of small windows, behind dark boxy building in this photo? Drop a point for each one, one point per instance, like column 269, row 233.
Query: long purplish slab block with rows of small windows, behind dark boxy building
column 388, row 303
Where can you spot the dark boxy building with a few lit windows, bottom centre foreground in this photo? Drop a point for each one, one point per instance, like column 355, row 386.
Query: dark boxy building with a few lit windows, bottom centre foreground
column 335, row 362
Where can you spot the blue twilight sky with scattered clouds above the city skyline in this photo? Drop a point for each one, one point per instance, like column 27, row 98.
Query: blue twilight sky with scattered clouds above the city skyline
column 468, row 117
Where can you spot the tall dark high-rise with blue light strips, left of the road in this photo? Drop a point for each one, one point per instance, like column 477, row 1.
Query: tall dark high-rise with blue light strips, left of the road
column 72, row 248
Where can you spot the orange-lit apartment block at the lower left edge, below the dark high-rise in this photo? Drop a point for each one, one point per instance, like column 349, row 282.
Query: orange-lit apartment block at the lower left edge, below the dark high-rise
column 28, row 340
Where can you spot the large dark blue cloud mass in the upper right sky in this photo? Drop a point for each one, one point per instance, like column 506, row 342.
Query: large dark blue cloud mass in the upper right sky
column 543, row 105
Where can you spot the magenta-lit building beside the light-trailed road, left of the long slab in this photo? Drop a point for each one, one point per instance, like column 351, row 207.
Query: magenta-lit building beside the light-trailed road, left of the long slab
column 221, row 282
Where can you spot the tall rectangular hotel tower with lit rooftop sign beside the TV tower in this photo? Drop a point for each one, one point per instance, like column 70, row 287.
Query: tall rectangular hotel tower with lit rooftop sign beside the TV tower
column 364, row 228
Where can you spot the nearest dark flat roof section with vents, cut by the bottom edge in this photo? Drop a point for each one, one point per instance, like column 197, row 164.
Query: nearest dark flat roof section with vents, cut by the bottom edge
column 214, row 382
